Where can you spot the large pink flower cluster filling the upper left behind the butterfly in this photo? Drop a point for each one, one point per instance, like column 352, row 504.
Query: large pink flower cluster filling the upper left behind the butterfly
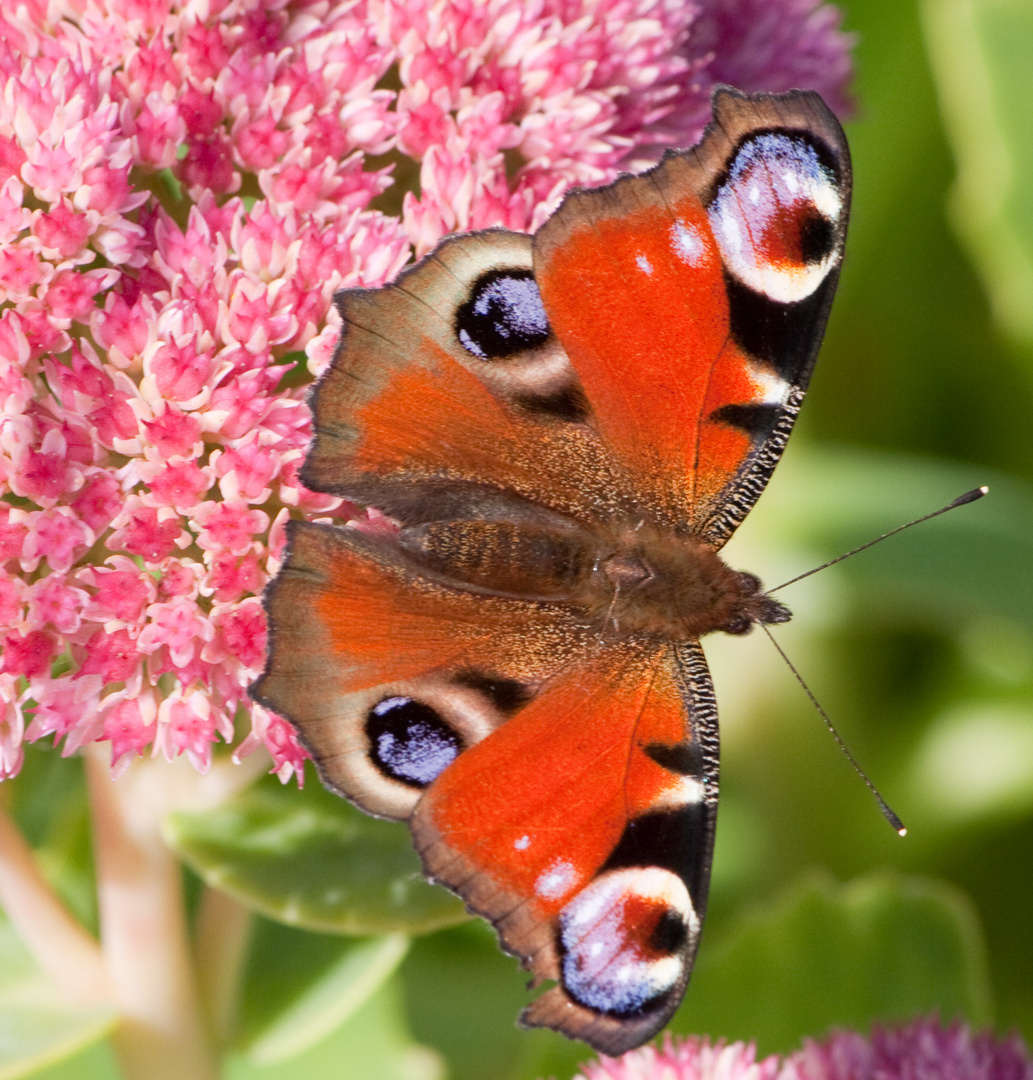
column 184, row 184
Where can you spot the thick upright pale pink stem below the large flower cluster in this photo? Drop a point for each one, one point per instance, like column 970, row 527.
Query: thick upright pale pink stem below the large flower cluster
column 144, row 931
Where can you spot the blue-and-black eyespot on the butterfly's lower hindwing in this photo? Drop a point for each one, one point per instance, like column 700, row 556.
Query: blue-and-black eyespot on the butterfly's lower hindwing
column 410, row 742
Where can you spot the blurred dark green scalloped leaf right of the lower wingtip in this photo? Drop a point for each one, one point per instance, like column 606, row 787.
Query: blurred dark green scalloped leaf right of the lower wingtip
column 827, row 955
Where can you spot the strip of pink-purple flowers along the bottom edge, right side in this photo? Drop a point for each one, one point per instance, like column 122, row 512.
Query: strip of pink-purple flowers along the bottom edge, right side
column 923, row 1050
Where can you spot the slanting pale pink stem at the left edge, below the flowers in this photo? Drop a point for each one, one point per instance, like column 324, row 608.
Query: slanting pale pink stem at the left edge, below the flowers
column 61, row 947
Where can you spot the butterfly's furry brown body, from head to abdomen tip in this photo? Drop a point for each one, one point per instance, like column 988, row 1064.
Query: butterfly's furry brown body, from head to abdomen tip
column 630, row 578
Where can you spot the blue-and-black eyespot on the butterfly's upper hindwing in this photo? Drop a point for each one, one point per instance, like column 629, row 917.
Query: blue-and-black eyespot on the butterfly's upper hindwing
column 503, row 317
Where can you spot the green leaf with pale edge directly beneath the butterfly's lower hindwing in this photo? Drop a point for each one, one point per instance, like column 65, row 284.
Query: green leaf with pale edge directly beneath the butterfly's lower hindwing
column 312, row 860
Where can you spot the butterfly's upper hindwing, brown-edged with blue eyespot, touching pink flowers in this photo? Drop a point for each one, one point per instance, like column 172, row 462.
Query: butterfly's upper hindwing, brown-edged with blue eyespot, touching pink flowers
column 451, row 398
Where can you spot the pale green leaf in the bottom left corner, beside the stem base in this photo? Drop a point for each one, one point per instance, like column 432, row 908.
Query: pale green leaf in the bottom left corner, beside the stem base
column 36, row 1030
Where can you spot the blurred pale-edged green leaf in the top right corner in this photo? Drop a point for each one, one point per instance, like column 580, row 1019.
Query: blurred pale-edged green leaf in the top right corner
column 981, row 53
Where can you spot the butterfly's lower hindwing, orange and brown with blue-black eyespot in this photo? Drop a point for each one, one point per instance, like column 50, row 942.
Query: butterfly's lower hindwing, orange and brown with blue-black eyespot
column 388, row 676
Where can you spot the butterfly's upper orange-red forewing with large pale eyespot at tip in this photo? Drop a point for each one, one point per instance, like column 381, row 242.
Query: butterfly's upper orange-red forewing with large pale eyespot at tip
column 692, row 301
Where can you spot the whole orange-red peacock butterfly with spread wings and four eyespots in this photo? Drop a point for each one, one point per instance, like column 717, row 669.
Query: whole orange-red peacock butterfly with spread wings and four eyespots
column 564, row 429
